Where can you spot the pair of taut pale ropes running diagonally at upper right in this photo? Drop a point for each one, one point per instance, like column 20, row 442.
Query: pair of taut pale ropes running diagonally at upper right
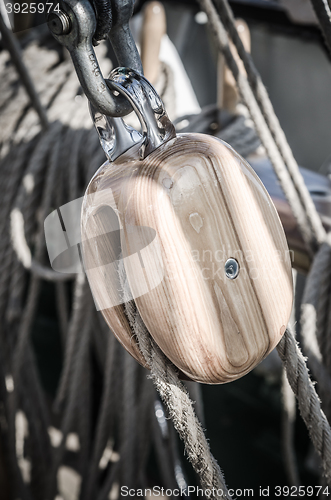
column 267, row 126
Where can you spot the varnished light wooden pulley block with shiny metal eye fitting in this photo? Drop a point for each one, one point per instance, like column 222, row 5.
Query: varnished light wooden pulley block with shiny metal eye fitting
column 204, row 253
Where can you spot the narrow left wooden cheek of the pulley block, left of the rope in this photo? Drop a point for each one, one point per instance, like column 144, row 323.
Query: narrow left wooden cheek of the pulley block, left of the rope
column 99, row 250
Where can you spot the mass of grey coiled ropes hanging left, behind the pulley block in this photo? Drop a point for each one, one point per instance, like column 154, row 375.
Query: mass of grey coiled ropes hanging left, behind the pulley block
column 41, row 170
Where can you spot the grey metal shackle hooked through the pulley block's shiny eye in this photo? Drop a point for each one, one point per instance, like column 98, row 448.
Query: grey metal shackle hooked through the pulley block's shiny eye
column 73, row 25
